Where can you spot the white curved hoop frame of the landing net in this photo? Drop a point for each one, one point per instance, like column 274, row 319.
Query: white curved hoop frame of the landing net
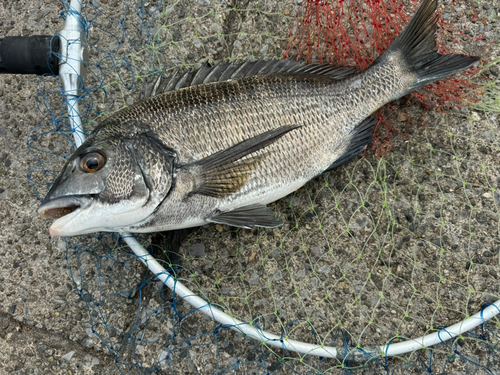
column 70, row 70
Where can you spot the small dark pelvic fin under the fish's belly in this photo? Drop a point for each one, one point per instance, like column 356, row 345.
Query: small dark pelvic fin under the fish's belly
column 254, row 215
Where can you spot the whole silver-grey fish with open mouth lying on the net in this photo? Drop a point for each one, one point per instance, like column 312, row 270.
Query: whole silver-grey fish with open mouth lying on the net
column 219, row 144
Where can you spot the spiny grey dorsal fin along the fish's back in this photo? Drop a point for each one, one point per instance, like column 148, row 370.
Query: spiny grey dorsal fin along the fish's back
column 226, row 71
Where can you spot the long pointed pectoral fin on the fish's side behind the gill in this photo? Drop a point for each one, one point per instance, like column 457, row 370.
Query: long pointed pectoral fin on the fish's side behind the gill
column 224, row 172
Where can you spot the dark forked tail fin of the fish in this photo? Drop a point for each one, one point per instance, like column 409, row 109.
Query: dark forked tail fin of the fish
column 417, row 45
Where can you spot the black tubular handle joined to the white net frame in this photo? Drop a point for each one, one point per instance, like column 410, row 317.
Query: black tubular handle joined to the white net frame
column 29, row 55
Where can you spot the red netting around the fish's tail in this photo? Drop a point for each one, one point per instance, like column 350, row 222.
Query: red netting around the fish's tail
column 355, row 33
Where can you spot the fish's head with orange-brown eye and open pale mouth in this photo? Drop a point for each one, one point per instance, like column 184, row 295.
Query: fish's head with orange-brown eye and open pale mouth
column 109, row 184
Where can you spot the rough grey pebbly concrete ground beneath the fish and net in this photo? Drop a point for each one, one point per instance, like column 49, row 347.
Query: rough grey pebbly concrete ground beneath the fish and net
column 380, row 248
